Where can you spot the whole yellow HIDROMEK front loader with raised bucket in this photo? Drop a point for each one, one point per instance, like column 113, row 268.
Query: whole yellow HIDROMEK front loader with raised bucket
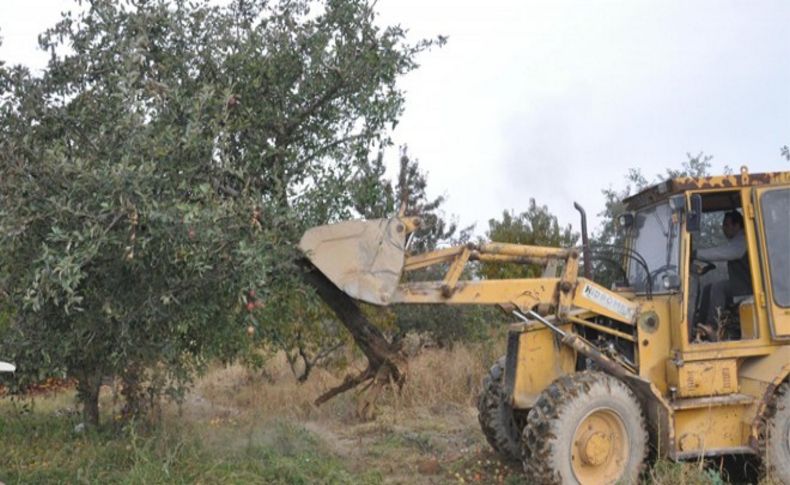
column 595, row 376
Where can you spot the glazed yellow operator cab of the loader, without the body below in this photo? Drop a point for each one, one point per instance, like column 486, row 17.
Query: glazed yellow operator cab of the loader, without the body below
column 675, row 221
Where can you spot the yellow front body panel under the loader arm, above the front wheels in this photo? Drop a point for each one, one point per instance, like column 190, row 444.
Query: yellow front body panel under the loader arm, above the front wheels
column 541, row 360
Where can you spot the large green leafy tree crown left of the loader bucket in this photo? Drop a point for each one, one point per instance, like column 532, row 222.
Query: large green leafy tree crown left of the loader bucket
column 157, row 171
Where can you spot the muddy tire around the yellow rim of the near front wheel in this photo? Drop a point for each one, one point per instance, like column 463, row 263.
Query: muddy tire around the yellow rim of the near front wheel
column 552, row 423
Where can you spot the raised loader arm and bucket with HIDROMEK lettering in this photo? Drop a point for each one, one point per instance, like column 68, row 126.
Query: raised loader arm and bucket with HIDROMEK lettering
column 366, row 260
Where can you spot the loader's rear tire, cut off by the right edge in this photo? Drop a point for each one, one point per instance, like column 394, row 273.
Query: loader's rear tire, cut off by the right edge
column 776, row 445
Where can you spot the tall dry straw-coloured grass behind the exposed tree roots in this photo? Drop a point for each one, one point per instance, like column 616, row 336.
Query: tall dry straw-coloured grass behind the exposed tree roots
column 435, row 378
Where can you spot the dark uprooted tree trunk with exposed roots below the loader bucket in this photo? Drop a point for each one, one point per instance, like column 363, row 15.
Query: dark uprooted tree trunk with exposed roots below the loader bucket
column 385, row 361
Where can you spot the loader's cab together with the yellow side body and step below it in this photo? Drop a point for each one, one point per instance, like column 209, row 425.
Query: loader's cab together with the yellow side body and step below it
column 714, row 382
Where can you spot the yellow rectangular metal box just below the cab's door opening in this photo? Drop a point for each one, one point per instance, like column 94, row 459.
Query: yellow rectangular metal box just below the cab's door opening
column 705, row 378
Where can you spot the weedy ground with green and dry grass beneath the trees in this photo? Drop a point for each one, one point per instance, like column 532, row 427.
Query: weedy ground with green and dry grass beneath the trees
column 242, row 426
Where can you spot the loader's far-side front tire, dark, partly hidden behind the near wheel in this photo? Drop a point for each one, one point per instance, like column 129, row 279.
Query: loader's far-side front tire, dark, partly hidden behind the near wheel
column 497, row 418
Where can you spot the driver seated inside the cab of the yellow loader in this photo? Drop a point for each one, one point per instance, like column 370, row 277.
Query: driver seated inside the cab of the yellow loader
column 716, row 295
